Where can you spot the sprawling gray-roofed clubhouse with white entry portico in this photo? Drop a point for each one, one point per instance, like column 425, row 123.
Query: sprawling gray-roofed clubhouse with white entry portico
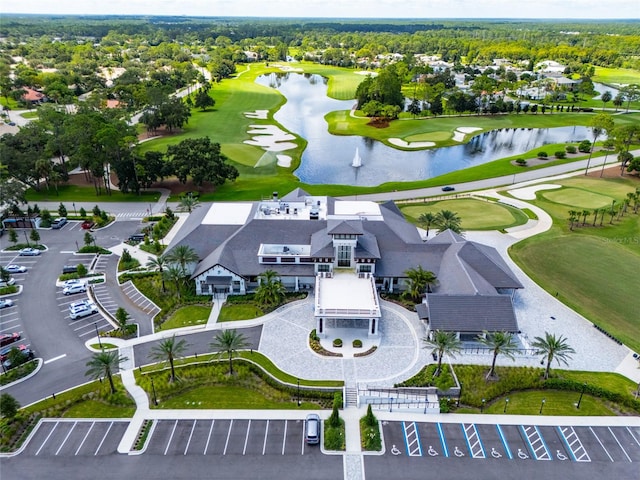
column 347, row 252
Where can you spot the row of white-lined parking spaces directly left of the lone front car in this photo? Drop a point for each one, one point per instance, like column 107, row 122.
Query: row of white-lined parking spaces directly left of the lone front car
column 229, row 437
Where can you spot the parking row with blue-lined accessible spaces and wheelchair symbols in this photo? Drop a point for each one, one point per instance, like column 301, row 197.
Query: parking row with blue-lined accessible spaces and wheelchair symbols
column 512, row 442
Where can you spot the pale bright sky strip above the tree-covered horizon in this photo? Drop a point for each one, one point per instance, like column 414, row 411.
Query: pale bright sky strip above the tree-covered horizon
column 418, row 9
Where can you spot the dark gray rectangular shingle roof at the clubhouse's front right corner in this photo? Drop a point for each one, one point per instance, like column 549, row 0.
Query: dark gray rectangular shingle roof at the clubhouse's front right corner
column 471, row 313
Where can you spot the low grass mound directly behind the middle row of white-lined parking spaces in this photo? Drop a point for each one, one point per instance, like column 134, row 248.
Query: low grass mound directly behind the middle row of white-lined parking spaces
column 228, row 397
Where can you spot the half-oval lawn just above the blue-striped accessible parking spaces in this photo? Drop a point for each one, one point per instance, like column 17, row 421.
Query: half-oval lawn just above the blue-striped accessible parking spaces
column 556, row 403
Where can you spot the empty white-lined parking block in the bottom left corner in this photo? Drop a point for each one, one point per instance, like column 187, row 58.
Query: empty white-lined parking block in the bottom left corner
column 69, row 438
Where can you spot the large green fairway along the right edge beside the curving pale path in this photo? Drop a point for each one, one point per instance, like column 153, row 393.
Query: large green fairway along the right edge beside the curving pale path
column 595, row 270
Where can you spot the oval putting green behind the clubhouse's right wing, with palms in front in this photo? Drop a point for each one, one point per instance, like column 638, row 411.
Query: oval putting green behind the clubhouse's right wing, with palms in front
column 475, row 214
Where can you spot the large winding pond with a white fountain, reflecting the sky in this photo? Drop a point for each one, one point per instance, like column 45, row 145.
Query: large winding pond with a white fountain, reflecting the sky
column 328, row 159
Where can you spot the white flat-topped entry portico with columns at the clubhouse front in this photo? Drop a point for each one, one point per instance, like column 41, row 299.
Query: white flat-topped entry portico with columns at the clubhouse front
column 347, row 300
